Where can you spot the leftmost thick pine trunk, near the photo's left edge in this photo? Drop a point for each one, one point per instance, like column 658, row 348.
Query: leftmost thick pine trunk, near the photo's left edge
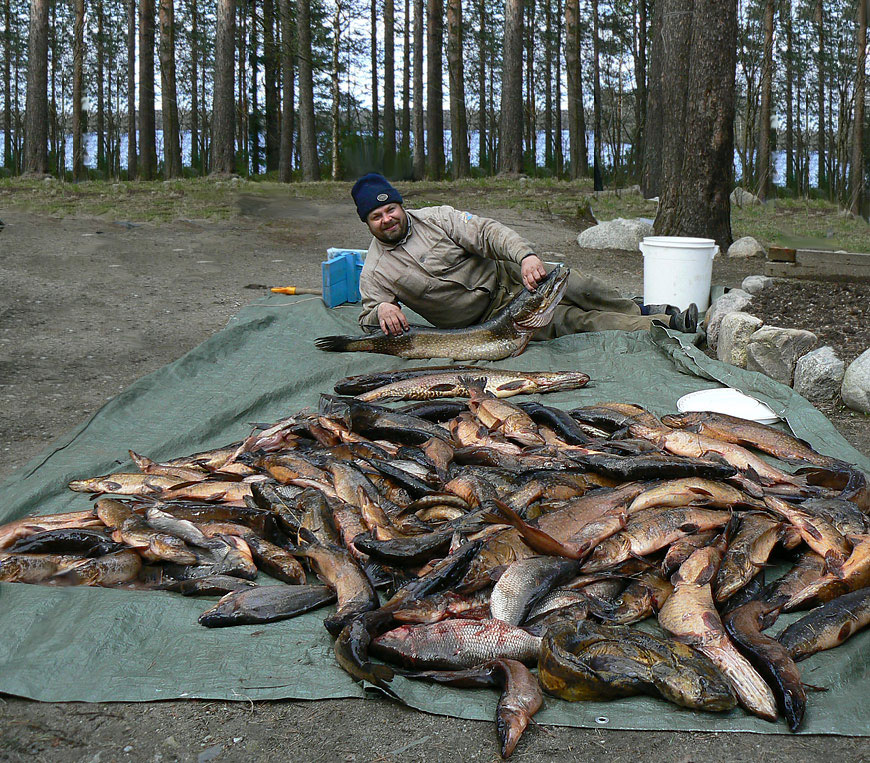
column 36, row 110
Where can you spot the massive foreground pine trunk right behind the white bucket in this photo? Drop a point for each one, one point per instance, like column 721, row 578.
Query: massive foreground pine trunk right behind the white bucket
column 700, row 41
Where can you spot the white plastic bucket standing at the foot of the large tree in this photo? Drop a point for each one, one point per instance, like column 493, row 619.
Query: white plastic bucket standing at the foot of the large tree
column 677, row 270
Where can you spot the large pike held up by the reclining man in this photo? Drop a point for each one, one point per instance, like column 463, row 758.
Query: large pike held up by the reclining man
column 505, row 335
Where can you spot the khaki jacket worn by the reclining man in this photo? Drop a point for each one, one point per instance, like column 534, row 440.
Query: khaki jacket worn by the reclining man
column 446, row 269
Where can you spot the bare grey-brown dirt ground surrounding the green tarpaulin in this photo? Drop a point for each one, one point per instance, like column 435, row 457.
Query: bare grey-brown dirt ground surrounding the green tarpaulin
column 89, row 305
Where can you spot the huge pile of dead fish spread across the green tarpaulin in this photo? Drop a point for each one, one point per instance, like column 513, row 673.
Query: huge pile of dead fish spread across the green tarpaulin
column 468, row 541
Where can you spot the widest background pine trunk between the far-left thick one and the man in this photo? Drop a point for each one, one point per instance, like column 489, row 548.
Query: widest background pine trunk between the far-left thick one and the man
column 223, row 151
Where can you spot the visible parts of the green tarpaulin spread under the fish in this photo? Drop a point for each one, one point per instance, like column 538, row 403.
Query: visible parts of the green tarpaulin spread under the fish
column 61, row 644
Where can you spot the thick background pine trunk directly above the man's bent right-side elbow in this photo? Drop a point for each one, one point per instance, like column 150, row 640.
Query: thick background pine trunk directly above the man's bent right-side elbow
column 511, row 115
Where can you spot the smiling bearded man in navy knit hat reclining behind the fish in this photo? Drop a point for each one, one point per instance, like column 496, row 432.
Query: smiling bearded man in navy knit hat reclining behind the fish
column 456, row 270
